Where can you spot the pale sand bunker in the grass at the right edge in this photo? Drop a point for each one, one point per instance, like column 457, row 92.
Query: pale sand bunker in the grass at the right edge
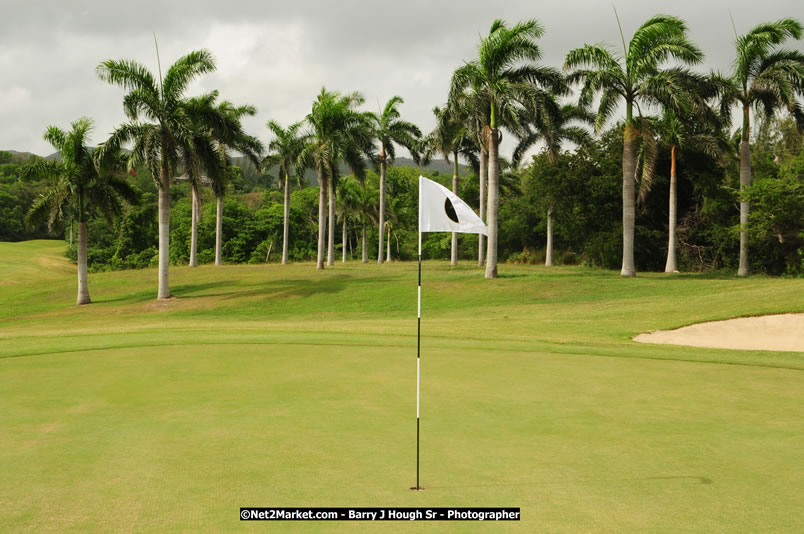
column 769, row 332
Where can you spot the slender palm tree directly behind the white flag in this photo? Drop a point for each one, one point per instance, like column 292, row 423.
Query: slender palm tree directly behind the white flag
column 452, row 136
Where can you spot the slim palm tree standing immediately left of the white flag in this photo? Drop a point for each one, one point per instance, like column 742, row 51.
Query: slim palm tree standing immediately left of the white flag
column 389, row 130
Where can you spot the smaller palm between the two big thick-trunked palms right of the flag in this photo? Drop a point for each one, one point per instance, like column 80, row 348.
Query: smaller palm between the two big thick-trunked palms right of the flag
column 553, row 125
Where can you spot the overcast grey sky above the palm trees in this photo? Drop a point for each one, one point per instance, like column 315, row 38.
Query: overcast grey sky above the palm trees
column 278, row 55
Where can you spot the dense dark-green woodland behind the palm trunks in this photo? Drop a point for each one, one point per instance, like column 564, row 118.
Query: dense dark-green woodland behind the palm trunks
column 582, row 187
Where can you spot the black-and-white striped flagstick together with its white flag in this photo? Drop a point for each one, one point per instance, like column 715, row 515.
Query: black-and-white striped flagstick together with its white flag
column 439, row 211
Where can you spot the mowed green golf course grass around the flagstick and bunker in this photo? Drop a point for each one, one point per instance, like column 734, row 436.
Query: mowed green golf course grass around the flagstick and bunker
column 282, row 386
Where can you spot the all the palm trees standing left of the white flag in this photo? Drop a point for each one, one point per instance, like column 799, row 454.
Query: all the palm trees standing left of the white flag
column 169, row 132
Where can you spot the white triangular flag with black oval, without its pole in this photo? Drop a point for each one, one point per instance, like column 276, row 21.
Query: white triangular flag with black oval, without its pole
column 440, row 210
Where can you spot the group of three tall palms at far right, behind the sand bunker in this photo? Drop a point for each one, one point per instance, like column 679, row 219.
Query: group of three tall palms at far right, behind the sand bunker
column 763, row 77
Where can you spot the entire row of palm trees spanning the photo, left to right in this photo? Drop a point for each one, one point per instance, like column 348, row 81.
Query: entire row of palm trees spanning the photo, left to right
column 503, row 88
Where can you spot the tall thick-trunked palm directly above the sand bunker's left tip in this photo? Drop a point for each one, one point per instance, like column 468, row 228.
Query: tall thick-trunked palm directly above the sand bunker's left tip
column 635, row 77
